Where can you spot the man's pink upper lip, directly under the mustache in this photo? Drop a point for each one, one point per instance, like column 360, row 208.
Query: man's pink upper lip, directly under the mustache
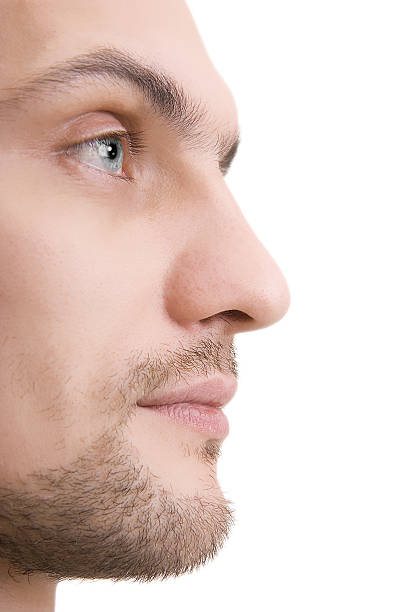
column 214, row 392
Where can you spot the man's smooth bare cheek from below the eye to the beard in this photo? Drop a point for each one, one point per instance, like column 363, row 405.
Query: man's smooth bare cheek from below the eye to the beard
column 76, row 296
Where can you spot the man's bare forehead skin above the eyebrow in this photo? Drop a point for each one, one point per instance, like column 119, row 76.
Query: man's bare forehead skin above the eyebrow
column 39, row 33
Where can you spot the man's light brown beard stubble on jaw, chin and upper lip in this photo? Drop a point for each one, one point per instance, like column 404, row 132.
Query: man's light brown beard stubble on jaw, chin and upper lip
column 106, row 515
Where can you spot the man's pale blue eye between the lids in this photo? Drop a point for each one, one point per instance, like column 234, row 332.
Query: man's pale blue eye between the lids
column 105, row 153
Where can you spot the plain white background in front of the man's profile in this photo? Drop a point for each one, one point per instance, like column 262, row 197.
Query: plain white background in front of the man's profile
column 316, row 460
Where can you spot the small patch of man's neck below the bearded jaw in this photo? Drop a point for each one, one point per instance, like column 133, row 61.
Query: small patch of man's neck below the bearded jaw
column 25, row 593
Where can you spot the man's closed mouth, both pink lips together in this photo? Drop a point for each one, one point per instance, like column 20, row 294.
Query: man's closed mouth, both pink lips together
column 196, row 406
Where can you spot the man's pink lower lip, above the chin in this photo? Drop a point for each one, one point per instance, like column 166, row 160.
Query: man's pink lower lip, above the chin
column 204, row 419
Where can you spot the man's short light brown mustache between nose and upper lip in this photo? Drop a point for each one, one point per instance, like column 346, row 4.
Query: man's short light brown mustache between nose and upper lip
column 146, row 373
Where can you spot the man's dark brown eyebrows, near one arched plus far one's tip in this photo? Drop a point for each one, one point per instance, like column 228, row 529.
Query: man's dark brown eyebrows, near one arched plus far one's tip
column 188, row 117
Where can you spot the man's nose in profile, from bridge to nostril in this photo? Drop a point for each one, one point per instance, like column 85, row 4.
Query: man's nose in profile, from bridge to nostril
column 221, row 268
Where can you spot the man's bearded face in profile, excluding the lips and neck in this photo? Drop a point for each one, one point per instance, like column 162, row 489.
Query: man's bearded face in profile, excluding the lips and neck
column 119, row 278
